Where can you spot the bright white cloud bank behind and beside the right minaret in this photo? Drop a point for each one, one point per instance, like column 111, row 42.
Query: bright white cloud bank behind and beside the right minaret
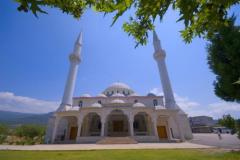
column 193, row 108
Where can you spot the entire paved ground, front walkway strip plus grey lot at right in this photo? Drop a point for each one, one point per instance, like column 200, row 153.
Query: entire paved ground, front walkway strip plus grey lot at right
column 199, row 141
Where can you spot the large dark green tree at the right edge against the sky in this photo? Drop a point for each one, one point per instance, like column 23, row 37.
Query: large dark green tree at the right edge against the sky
column 224, row 61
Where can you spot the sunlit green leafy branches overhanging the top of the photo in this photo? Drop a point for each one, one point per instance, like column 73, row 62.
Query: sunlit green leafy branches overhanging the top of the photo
column 201, row 17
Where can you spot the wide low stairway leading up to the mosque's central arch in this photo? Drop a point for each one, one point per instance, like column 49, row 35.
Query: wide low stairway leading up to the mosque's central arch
column 117, row 140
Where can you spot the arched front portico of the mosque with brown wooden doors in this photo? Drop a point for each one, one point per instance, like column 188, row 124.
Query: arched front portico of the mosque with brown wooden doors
column 142, row 125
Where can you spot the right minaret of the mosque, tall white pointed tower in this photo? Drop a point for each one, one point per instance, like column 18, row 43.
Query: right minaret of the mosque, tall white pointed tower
column 159, row 56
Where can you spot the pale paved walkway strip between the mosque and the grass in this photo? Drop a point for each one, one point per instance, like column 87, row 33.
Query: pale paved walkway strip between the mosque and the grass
column 186, row 145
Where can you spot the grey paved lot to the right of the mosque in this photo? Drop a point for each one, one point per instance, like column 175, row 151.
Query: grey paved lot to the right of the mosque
column 228, row 141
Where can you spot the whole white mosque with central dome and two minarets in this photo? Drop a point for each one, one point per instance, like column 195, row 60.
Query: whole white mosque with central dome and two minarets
column 118, row 114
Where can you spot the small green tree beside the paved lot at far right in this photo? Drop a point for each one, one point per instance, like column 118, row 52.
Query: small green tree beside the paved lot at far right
column 228, row 121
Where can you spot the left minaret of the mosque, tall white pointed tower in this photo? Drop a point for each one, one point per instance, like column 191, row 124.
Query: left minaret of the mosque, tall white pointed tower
column 75, row 59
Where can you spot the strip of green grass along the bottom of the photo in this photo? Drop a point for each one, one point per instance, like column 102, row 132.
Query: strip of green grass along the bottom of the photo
column 177, row 154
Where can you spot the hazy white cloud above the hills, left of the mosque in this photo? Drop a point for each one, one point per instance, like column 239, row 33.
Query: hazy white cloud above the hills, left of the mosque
column 11, row 102
